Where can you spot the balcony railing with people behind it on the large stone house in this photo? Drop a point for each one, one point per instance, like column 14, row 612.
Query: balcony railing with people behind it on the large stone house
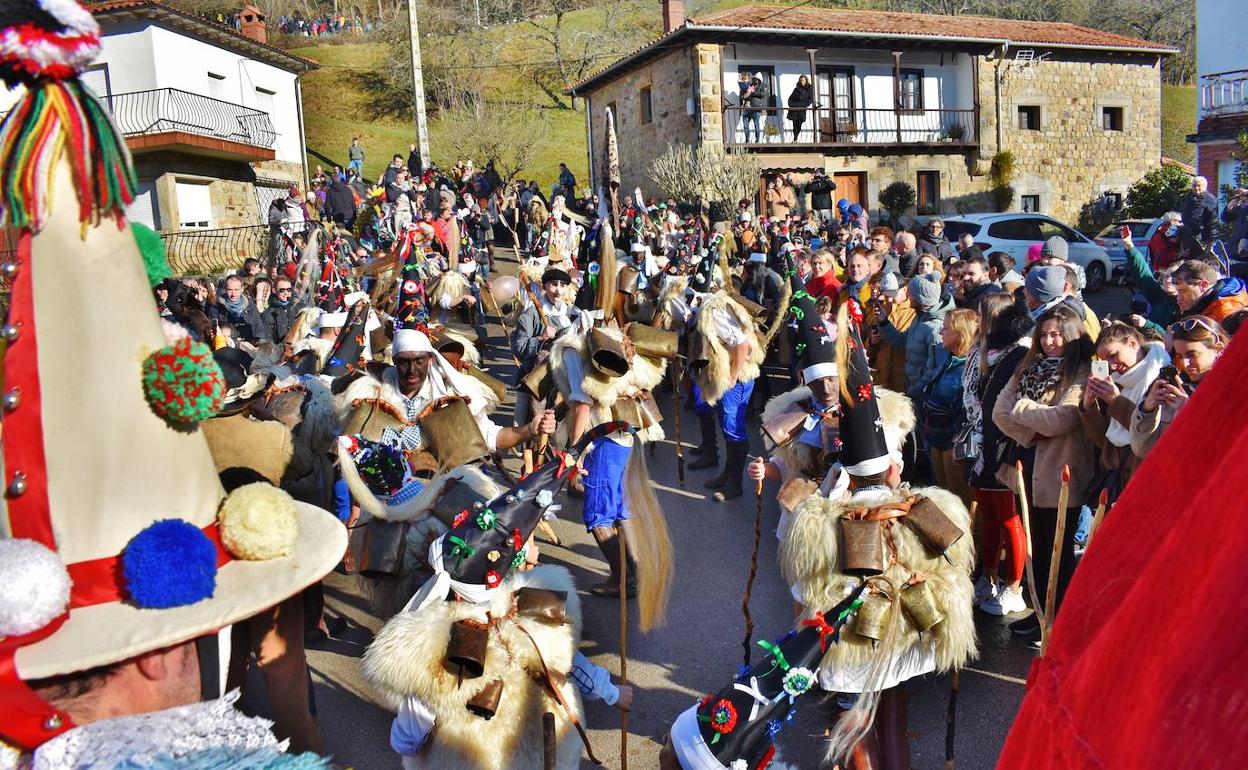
column 827, row 128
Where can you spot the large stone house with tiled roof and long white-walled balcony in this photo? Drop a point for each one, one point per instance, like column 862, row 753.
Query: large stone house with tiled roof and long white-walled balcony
column 924, row 99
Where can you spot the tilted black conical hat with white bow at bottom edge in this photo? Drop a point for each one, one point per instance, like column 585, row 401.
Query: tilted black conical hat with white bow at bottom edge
column 787, row 671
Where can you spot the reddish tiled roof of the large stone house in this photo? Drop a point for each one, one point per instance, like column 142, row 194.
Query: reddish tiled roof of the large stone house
column 1056, row 34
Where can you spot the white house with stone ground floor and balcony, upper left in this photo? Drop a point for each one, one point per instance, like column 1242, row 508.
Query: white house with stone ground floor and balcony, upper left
column 214, row 119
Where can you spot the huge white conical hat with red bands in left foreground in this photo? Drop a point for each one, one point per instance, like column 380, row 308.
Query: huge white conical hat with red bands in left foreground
column 114, row 467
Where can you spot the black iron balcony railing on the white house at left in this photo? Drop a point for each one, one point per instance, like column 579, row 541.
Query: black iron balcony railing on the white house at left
column 164, row 110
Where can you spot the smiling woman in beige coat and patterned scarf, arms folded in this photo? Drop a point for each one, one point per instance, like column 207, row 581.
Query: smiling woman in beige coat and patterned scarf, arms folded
column 1040, row 410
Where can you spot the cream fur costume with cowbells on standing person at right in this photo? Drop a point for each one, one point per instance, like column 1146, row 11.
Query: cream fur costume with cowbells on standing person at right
column 811, row 557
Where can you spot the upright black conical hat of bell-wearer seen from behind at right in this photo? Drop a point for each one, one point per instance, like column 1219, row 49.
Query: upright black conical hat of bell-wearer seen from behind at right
column 864, row 450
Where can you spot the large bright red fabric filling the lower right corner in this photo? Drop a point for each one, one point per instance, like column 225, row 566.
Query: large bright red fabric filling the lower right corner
column 1146, row 665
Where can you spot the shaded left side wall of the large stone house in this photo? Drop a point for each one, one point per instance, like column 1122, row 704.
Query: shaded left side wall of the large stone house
column 671, row 80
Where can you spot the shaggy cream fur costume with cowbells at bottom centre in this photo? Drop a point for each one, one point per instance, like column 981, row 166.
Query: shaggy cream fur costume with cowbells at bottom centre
column 409, row 658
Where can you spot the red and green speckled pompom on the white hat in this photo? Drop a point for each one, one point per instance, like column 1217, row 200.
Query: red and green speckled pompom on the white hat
column 184, row 384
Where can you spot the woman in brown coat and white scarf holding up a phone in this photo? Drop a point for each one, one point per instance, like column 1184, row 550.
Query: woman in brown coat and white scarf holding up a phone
column 1125, row 368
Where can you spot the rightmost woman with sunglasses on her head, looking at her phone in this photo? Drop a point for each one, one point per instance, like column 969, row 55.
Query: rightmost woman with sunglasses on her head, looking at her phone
column 1196, row 343
